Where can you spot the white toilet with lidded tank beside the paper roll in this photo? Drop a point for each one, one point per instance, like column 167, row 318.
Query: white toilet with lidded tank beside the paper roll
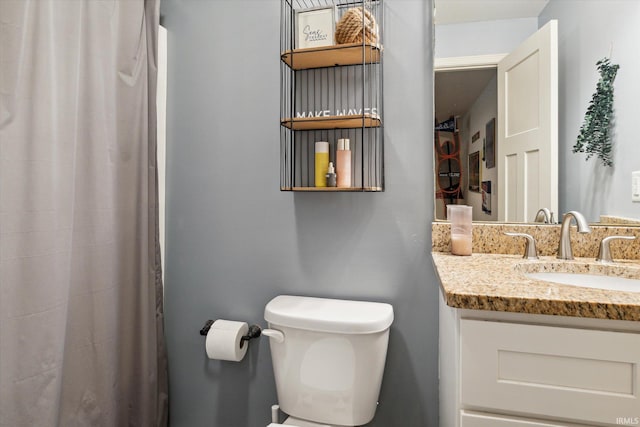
column 328, row 358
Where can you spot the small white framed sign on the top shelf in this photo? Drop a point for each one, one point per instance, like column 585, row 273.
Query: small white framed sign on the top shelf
column 315, row 27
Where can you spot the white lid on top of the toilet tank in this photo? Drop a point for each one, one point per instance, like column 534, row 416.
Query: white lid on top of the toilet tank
column 329, row 315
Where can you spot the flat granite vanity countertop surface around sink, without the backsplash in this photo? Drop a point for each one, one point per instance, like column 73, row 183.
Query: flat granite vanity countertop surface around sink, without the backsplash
column 496, row 282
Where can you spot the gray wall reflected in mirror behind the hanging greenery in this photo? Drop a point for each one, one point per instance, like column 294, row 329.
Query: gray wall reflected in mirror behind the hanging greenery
column 587, row 32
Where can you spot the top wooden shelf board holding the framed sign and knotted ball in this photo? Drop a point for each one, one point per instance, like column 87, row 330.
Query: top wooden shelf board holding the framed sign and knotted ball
column 332, row 56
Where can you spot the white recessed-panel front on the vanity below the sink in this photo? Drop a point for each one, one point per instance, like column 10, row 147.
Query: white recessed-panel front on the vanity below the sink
column 584, row 375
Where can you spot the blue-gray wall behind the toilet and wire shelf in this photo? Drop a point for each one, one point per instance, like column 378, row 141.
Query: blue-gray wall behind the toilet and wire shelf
column 234, row 240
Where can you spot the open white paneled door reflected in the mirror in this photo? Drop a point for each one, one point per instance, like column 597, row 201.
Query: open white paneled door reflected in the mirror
column 527, row 142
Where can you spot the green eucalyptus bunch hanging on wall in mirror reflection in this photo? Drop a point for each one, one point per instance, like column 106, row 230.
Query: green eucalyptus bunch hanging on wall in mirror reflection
column 595, row 136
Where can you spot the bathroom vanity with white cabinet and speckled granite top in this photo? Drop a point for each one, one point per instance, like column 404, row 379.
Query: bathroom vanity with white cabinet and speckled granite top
column 518, row 351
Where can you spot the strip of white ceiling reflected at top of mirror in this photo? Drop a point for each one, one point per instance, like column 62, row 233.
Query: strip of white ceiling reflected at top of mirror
column 459, row 11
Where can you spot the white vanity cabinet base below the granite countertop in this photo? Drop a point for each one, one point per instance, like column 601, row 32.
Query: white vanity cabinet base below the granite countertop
column 501, row 369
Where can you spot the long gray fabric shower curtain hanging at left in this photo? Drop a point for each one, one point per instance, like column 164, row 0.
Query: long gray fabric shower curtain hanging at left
column 81, row 317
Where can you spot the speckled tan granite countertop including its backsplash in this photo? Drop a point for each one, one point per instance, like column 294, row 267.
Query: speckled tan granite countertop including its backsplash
column 493, row 277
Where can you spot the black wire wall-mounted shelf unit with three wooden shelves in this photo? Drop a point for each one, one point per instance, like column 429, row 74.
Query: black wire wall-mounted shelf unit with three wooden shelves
column 328, row 93
